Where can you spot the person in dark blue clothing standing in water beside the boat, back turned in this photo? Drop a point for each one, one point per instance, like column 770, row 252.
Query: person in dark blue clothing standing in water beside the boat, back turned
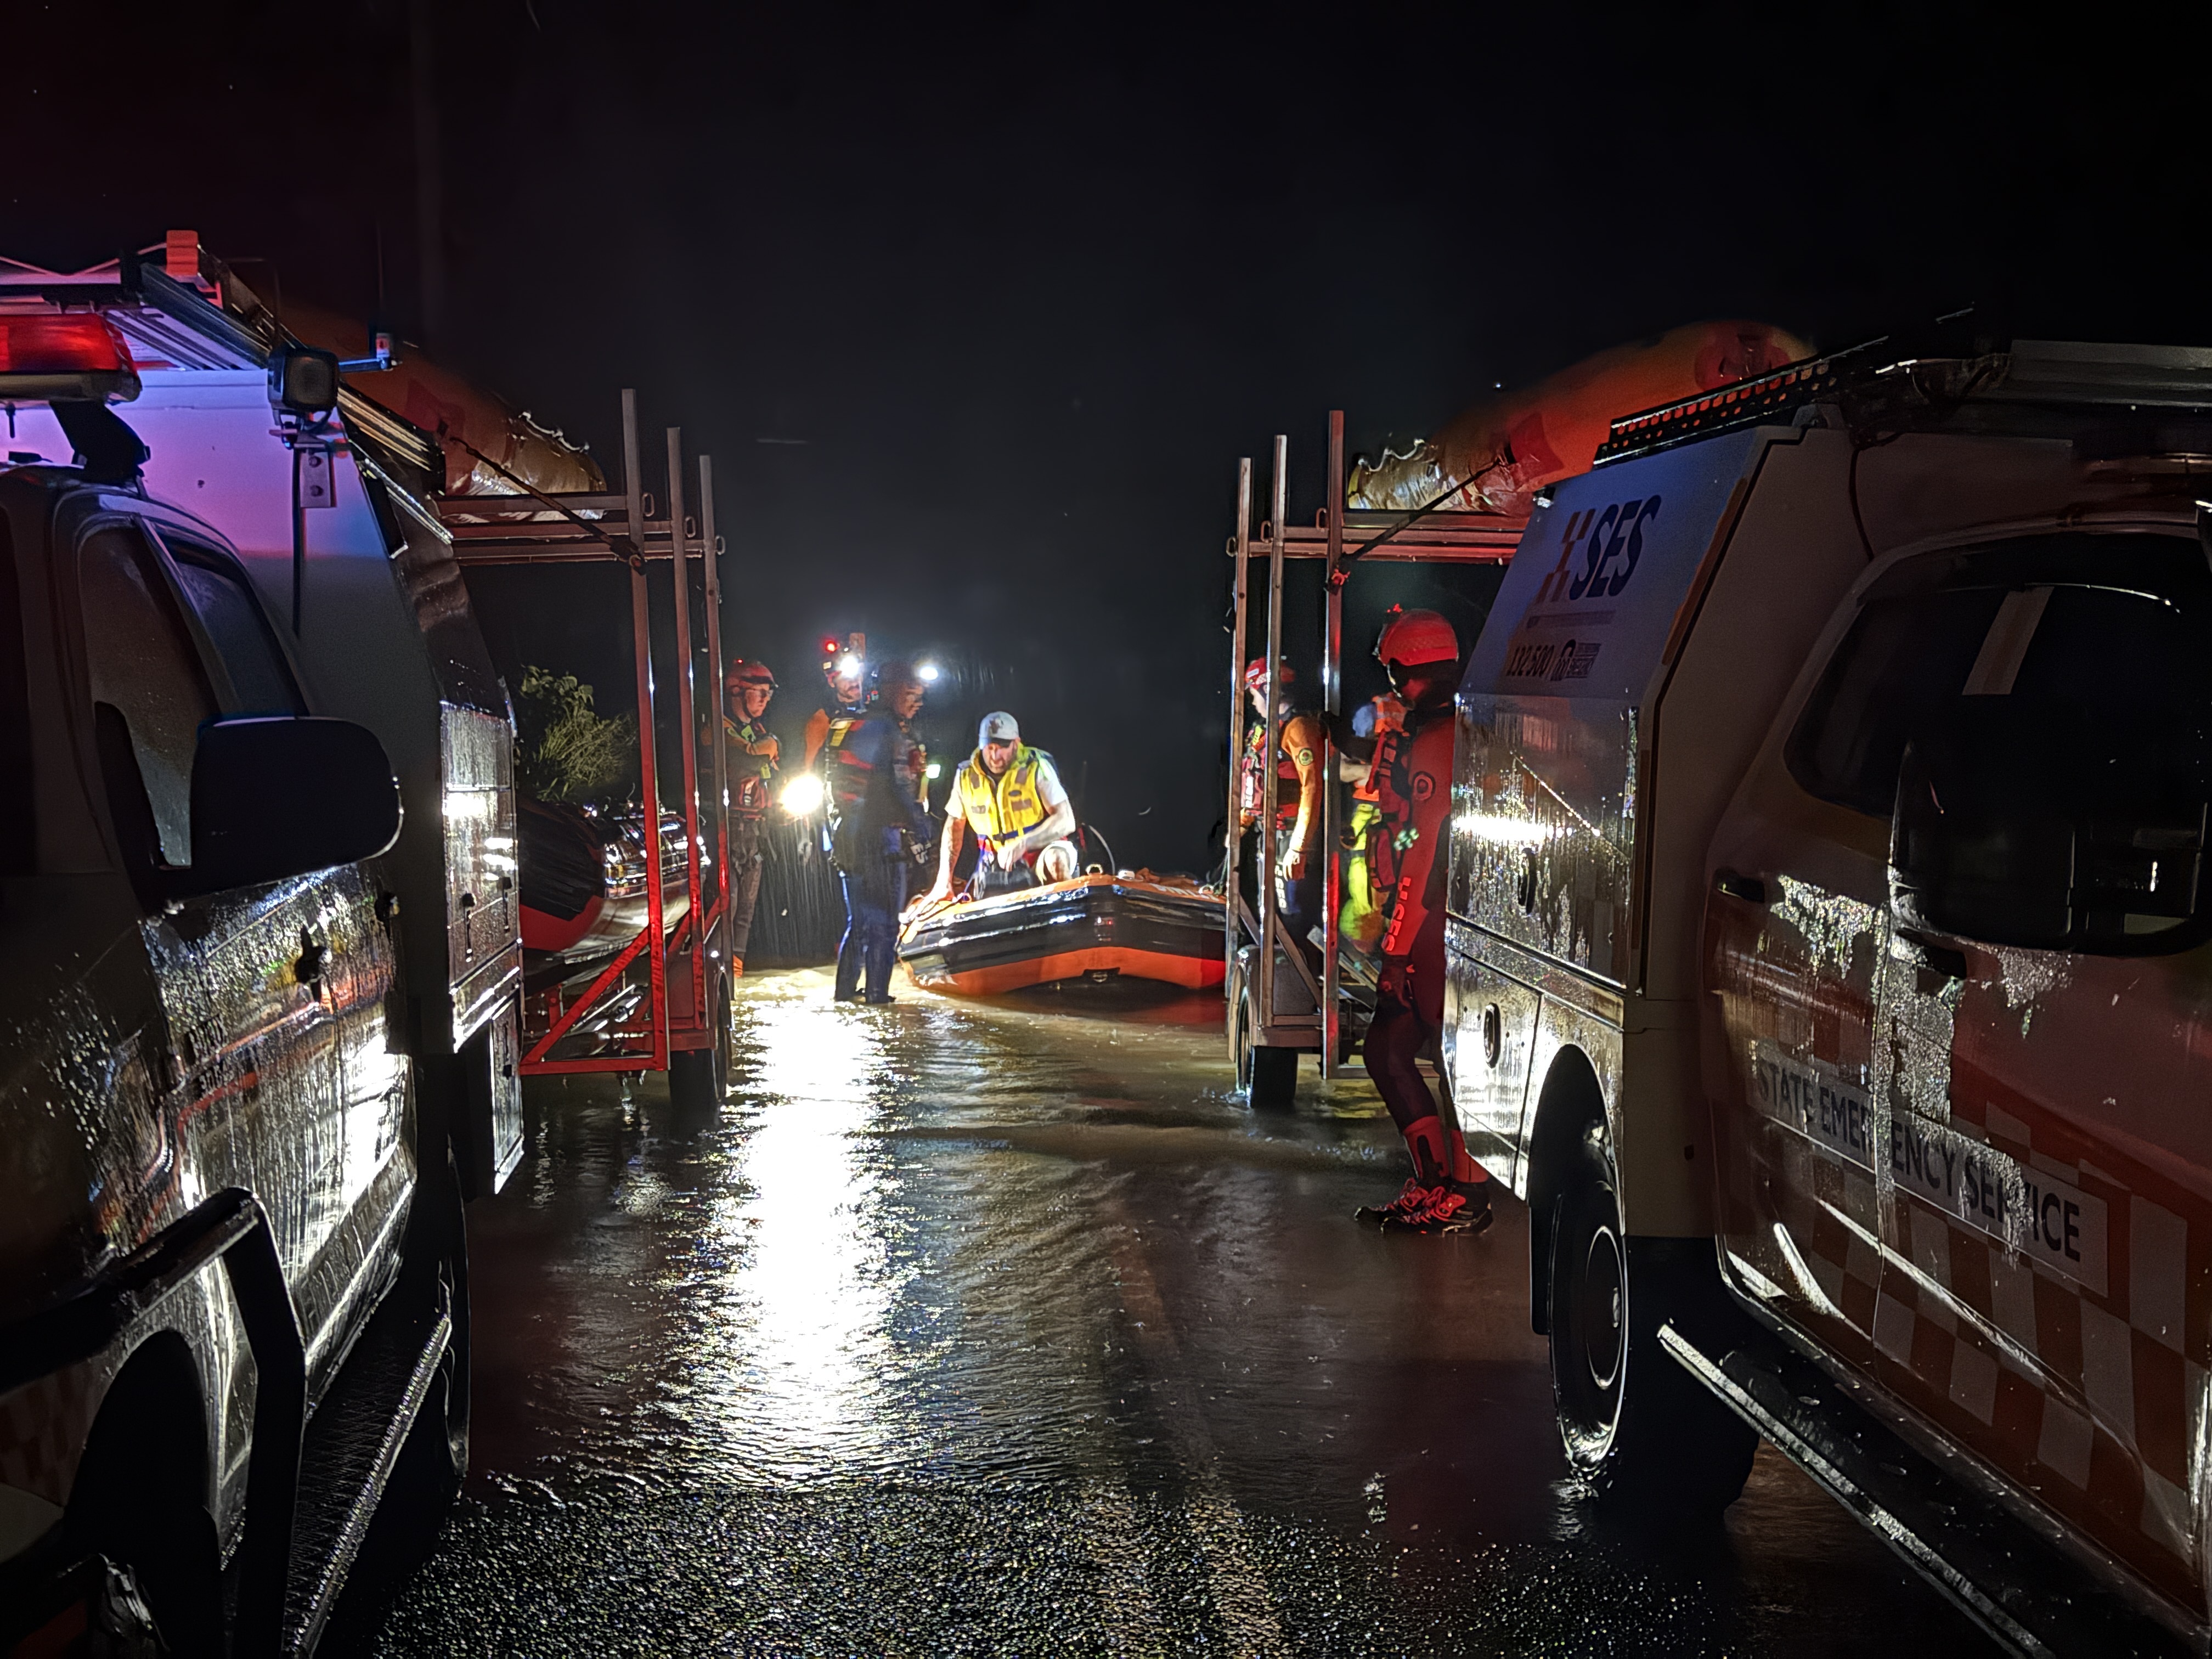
column 881, row 828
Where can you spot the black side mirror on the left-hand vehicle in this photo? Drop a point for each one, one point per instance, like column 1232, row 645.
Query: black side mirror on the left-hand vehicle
column 280, row 797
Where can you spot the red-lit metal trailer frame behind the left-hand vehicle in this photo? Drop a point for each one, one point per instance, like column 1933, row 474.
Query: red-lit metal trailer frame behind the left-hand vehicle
column 536, row 528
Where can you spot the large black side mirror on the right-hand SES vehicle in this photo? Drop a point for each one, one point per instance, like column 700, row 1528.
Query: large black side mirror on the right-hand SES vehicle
column 2025, row 826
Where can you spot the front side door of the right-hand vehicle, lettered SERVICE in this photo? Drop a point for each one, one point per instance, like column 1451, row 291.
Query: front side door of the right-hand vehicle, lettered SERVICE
column 2058, row 1258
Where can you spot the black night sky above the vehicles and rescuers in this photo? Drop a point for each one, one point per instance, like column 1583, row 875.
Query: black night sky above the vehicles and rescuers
column 1014, row 289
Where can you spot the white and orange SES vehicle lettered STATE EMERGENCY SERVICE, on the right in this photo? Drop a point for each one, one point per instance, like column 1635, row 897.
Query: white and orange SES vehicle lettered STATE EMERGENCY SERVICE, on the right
column 1830, row 963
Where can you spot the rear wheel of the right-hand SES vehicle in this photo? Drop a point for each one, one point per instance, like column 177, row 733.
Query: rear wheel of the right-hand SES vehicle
column 1636, row 1426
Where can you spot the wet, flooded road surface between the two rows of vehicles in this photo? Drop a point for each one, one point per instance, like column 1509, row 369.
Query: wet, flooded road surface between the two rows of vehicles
column 1005, row 1328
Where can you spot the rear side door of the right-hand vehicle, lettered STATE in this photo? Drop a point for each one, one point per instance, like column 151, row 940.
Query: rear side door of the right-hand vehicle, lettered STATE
column 1804, row 1001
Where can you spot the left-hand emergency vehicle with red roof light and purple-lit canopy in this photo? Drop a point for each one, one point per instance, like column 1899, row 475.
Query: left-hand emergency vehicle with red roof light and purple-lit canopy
column 258, row 943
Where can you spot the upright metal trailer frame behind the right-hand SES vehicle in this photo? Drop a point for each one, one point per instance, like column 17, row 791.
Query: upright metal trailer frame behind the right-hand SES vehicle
column 1421, row 536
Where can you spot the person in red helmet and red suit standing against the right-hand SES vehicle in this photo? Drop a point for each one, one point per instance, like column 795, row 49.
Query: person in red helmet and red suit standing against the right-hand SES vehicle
column 1408, row 864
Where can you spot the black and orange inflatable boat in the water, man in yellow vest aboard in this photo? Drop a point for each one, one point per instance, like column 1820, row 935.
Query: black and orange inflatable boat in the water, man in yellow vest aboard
column 1140, row 926
